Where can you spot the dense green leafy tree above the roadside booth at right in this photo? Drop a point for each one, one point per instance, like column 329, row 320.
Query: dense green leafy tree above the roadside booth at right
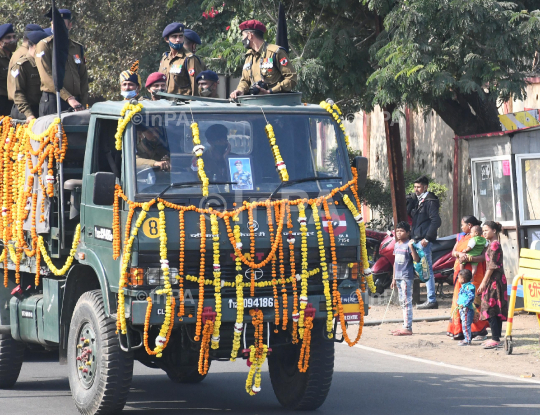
column 459, row 58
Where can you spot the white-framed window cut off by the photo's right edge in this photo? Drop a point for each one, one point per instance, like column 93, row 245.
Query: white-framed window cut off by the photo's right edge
column 528, row 173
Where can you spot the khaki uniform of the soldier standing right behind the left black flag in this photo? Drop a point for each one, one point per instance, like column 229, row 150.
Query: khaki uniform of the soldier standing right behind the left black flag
column 76, row 78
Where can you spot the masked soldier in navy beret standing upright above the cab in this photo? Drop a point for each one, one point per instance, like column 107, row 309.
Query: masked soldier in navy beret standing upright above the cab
column 172, row 62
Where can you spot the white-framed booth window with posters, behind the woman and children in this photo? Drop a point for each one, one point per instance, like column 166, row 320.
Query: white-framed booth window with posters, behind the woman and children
column 493, row 190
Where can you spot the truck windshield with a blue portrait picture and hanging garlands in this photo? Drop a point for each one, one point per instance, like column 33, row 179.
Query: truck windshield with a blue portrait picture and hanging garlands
column 237, row 151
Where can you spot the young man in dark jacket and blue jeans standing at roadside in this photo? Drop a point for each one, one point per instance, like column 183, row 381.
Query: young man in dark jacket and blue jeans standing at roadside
column 423, row 207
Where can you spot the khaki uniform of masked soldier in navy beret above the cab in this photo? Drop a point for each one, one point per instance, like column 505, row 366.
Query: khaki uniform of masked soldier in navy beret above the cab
column 181, row 72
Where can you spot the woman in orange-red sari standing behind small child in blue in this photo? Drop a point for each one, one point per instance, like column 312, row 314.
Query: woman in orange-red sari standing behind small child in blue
column 478, row 329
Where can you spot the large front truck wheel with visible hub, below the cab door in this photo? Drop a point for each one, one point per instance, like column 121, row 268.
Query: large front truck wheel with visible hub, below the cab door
column 99, row 371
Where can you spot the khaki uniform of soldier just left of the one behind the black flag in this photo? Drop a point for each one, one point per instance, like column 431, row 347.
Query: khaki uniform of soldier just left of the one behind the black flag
column 25, row 76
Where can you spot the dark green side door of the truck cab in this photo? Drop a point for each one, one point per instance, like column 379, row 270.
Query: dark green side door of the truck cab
column 97, row 220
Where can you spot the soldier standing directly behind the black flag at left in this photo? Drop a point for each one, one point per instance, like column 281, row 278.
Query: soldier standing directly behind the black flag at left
column 74, row 94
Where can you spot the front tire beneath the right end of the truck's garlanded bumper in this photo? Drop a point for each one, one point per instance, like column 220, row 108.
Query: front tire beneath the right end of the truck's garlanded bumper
column 303, row 391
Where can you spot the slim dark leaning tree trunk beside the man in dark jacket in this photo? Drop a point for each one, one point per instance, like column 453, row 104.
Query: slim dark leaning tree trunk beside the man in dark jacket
column 395, row 166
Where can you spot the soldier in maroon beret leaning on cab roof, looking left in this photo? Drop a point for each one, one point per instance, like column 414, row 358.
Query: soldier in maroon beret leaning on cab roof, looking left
column 264, row 62
